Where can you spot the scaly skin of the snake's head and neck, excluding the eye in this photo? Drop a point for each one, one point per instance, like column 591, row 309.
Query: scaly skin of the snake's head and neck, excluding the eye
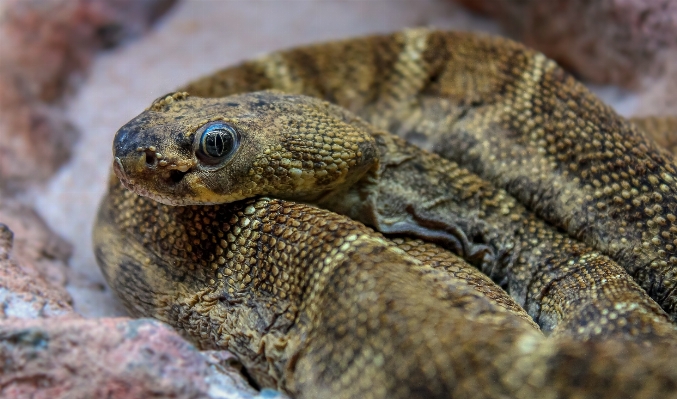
column 293, row 144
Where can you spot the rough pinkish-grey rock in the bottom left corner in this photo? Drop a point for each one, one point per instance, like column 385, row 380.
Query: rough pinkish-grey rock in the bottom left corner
column 111, row 358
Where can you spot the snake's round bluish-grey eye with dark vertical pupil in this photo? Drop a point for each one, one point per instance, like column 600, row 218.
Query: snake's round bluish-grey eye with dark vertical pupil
column 216, row 142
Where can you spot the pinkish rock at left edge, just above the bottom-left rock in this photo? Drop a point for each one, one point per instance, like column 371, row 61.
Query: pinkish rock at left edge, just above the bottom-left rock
column 32, row 265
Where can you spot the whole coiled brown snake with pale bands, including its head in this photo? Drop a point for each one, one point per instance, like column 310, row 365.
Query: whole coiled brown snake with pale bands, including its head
column 324, row 311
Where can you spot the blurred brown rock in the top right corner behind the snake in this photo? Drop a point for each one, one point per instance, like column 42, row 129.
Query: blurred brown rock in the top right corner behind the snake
column 606, row 41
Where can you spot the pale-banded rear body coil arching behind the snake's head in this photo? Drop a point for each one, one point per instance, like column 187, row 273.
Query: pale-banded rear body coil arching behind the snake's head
column 508, row 114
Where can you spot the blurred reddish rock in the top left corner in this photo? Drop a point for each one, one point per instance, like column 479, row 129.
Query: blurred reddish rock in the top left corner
column 45, row 45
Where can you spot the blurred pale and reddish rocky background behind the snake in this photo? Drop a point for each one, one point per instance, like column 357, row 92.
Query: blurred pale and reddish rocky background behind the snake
column 73, row 71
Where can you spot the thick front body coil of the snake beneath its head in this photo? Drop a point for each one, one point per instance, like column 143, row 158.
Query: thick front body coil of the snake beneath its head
column 320, row 306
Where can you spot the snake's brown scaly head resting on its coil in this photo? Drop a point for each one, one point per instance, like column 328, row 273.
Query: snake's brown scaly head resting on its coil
column 186, row 150
